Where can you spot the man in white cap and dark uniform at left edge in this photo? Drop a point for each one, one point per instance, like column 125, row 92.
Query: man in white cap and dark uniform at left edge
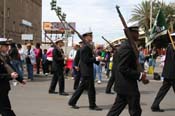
column 6, row 74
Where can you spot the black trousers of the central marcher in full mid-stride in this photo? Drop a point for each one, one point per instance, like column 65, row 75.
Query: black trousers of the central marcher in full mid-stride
column 86, row 83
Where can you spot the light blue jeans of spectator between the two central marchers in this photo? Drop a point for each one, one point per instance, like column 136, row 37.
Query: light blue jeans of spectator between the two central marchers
column 98, row 71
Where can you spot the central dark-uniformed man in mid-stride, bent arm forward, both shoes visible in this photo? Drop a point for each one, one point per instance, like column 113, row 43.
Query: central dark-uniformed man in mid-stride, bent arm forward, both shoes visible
column 86, row 69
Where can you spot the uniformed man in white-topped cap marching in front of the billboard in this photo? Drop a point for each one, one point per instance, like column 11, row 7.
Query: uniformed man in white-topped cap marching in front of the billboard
column 58, row 69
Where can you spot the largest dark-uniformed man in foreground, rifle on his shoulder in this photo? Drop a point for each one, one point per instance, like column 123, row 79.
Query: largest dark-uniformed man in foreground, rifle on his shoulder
column 126, row 77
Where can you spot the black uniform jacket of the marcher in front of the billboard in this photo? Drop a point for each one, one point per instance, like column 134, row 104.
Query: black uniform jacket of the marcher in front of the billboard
column 58, row 60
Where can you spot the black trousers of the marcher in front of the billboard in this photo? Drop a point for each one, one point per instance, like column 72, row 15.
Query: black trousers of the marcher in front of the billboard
column 58, row 77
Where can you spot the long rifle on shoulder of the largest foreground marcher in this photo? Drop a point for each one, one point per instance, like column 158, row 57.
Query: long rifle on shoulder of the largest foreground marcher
column 131, row 42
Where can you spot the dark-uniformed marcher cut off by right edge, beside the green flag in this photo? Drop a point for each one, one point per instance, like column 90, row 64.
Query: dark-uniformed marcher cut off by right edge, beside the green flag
column 169, row 78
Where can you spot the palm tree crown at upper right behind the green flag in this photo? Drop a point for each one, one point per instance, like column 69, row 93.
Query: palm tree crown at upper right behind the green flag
column 141, row 14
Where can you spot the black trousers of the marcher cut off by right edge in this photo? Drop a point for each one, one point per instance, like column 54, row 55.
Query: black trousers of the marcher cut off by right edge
column 167, row 83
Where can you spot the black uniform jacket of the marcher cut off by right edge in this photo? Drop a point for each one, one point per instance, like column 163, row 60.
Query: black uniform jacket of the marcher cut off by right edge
column 169, row 67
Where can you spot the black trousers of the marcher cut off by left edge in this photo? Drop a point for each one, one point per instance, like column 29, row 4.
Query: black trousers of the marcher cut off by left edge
column 5, row 106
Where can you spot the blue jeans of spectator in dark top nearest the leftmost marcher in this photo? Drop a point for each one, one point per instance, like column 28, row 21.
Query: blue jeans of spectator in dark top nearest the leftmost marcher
column 18, row 67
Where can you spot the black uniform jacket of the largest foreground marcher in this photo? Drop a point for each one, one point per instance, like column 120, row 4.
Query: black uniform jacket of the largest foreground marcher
column 125, row 70
